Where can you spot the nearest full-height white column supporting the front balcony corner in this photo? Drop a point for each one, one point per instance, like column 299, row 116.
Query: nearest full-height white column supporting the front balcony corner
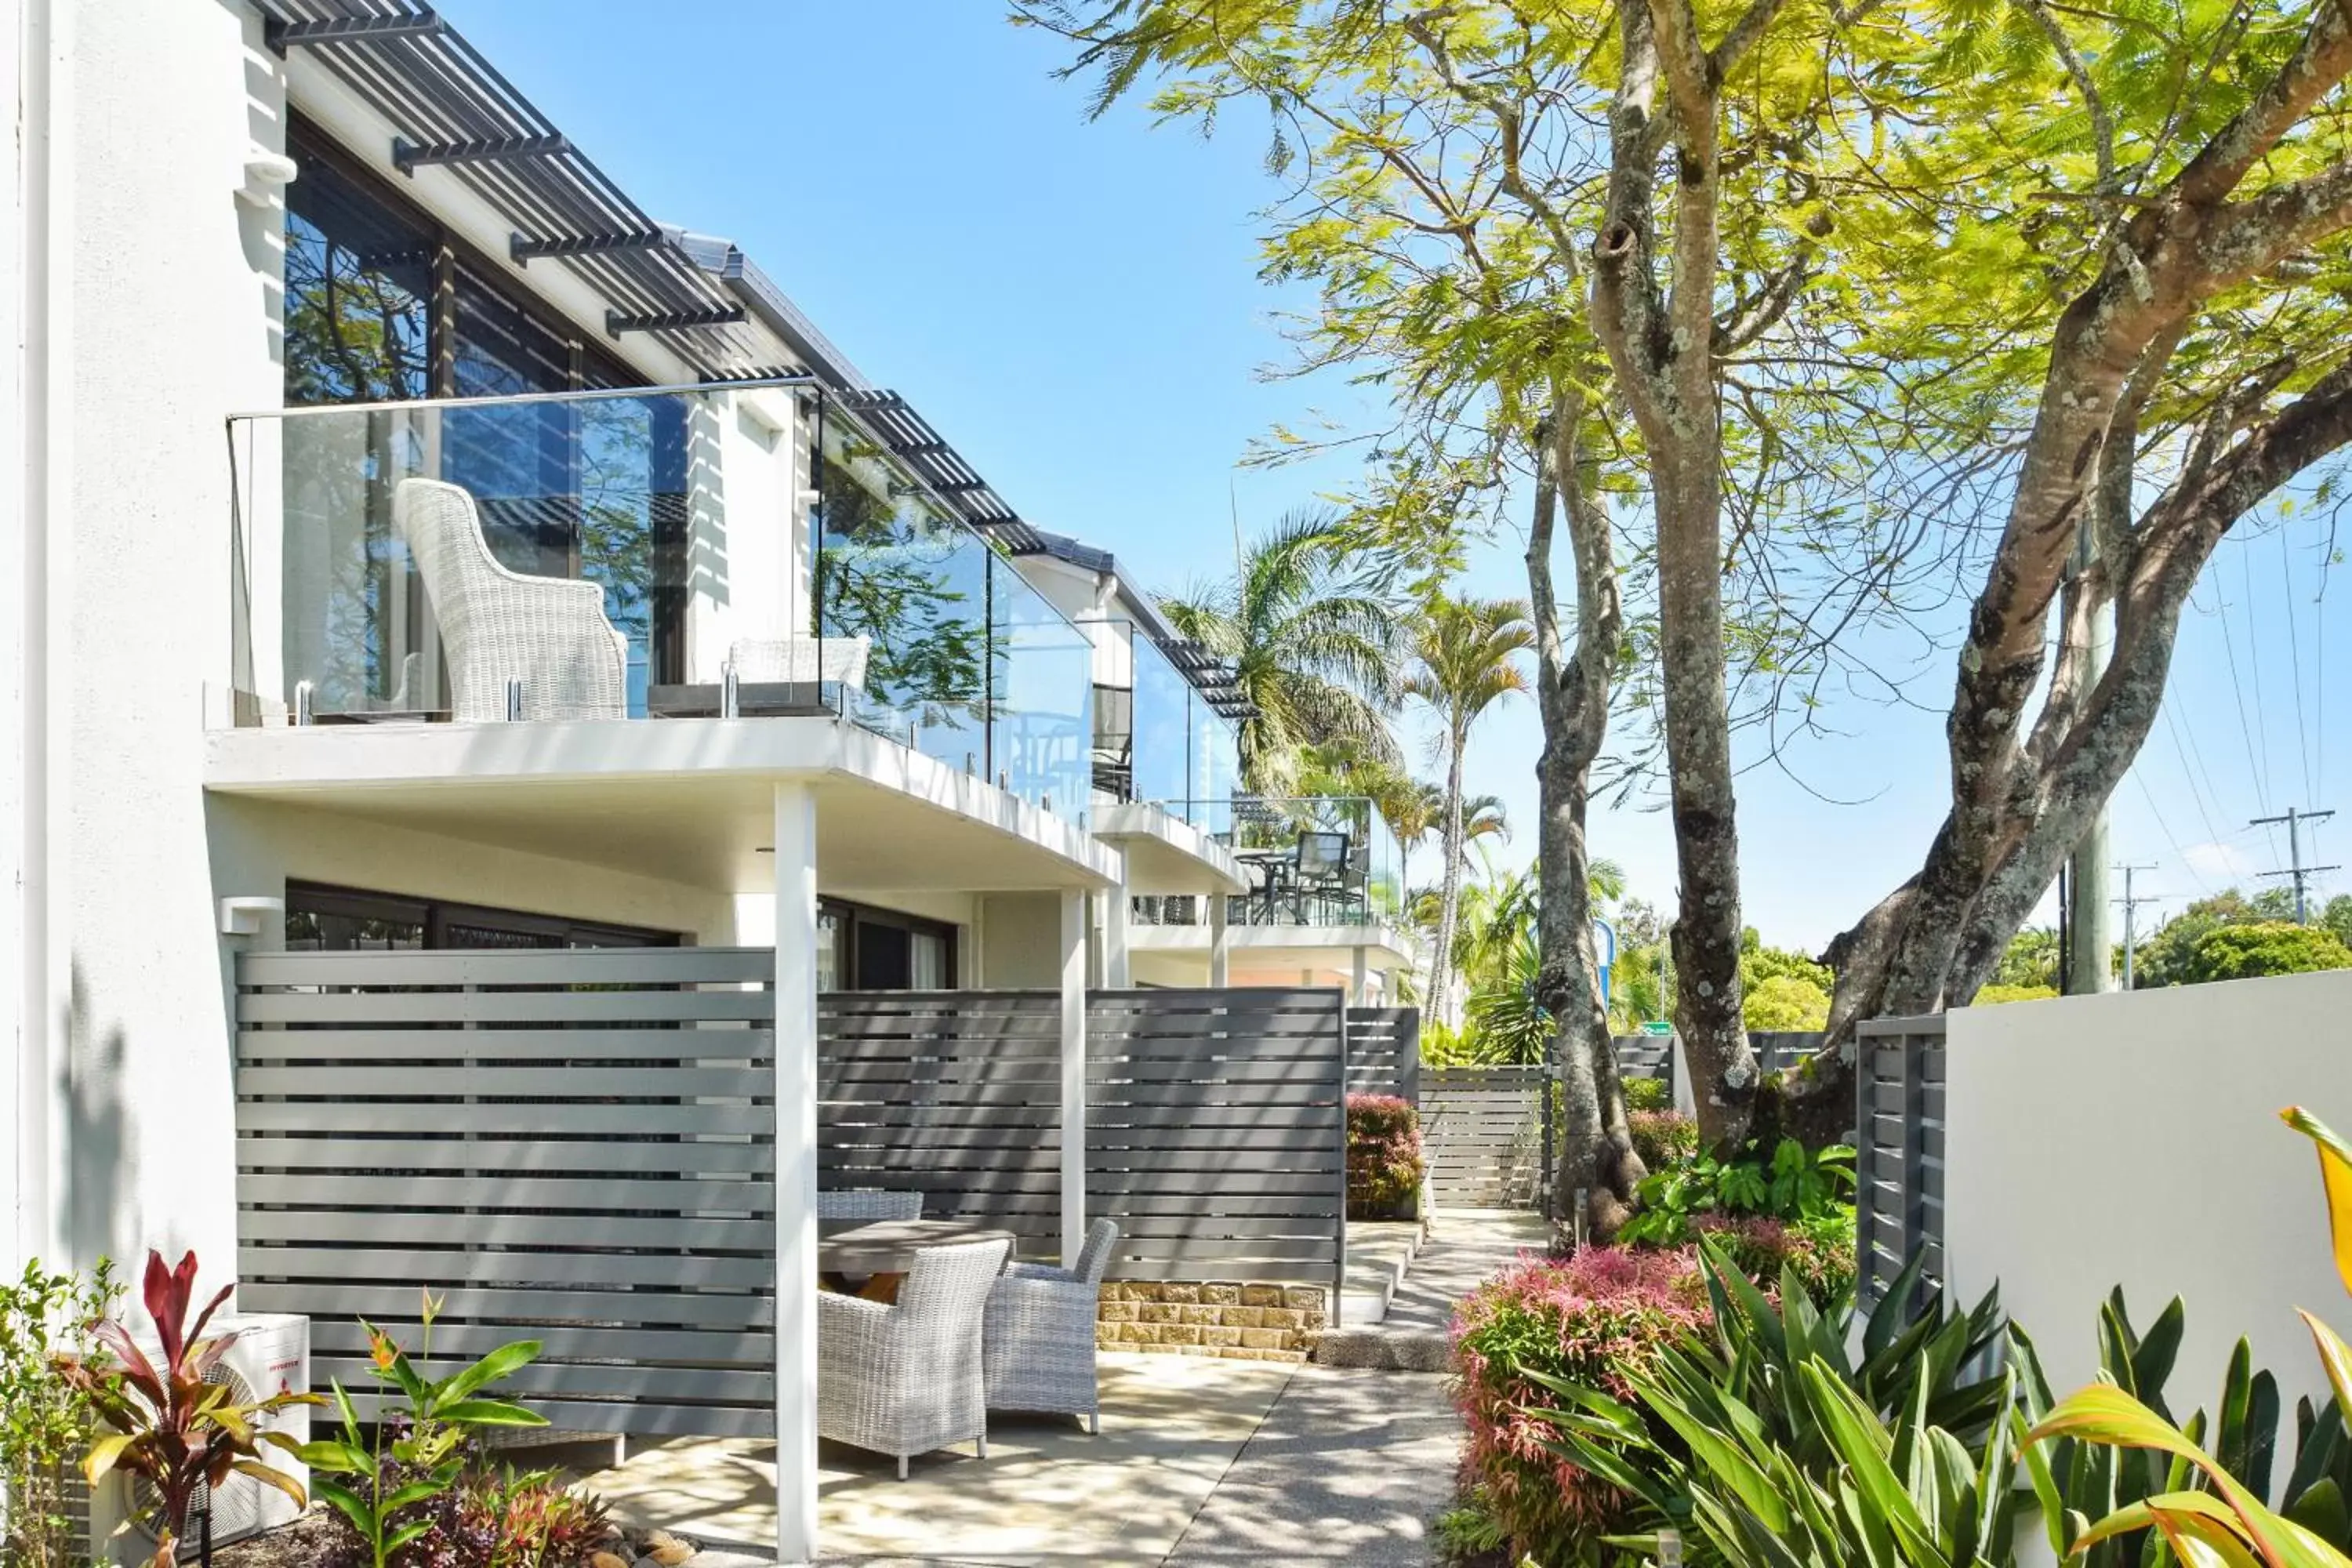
column 796, row 1174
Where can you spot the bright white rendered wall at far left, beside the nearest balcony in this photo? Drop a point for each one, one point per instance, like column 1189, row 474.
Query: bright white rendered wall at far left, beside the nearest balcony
column 171, row 297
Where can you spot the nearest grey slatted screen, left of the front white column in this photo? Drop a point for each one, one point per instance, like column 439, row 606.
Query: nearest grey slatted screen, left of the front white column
column 568, row 1146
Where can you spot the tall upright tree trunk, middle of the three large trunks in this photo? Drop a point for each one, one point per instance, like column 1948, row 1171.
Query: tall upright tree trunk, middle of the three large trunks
column 1662, row 347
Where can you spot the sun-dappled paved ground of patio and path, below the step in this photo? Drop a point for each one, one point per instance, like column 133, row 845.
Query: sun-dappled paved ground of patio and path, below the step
column 1201, row 1463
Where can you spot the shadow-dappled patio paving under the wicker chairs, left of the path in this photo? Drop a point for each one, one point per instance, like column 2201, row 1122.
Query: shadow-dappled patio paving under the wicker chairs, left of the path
column 1048, row 1494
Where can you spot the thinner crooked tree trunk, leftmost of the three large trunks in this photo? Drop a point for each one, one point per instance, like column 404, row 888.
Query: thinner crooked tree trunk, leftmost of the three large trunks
column 1596, row 1148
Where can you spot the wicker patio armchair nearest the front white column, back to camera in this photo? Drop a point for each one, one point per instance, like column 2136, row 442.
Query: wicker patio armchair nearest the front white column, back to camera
column 907, row 1379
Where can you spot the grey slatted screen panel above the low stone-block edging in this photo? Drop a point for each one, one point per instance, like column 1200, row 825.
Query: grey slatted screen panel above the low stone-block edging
column 1217, row 1132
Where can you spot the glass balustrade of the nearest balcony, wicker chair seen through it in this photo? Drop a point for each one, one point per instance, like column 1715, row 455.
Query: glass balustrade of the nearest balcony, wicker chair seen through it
column 657, row 556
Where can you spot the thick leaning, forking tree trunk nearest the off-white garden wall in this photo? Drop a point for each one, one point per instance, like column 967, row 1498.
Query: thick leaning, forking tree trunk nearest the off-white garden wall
column 2024, row 798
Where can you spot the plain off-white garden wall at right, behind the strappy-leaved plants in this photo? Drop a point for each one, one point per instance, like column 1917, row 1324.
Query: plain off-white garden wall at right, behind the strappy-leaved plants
column 2134, row 1139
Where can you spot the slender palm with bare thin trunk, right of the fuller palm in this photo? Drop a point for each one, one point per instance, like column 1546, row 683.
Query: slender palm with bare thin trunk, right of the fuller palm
column 1466, row 659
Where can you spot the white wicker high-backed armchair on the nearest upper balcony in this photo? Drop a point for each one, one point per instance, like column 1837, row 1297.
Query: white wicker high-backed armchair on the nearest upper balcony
column 502, row 626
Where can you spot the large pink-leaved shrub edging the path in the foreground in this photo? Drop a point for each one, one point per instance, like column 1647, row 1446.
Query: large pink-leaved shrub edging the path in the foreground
column 1589, row 1320
